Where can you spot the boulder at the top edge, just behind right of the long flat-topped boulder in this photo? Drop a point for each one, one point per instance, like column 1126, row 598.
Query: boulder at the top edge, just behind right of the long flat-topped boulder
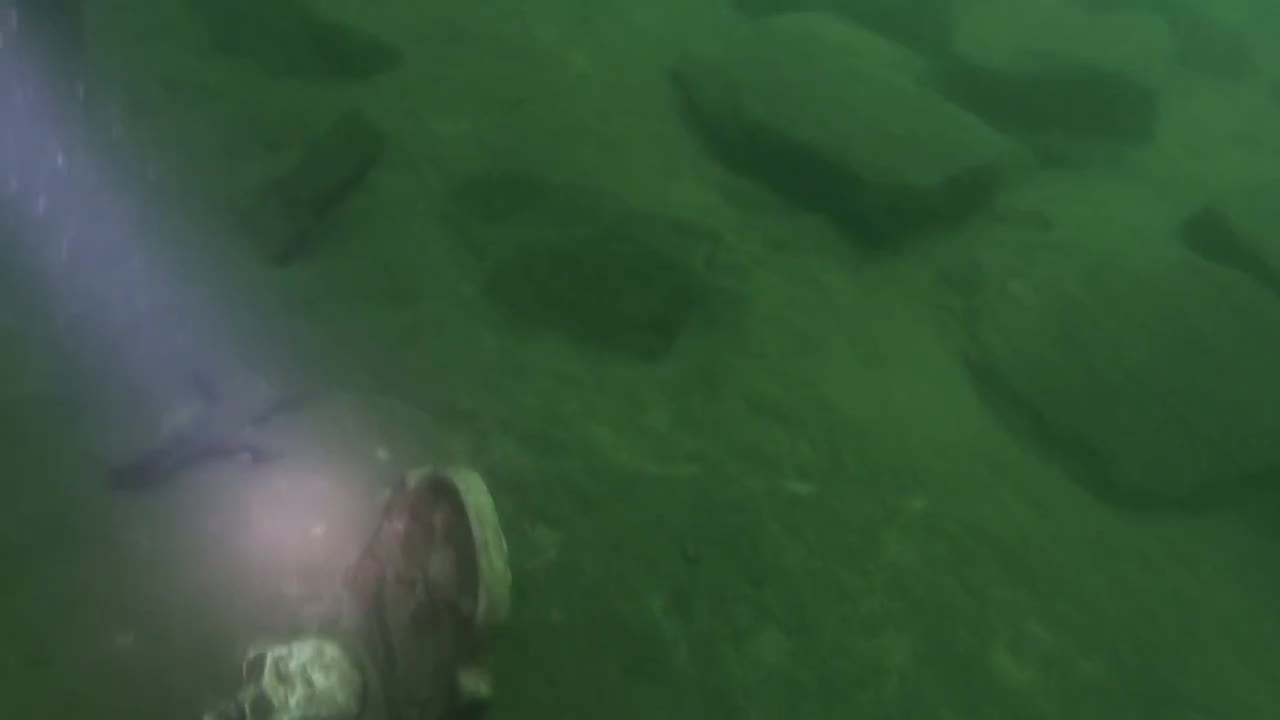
column 1058, row 76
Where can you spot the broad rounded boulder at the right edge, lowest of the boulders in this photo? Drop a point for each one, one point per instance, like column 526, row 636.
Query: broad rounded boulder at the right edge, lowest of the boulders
column 1145, row 371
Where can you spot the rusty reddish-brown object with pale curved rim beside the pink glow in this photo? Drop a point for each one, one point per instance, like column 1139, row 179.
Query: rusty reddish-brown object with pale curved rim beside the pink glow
column 429, row 590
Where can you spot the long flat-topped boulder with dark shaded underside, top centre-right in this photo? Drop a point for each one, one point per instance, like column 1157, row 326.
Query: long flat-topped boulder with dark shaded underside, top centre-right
column 840, row 122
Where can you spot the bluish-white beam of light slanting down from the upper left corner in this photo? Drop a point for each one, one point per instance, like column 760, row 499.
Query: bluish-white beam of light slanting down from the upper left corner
column 108, row 271
